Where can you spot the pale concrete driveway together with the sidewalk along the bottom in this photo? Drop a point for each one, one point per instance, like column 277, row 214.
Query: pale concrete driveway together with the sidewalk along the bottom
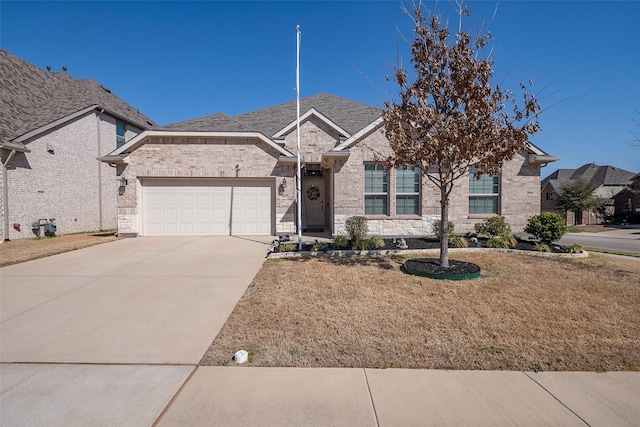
column 112, row 336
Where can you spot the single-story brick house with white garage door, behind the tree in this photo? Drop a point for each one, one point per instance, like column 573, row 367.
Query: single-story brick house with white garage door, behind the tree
column 222, row 175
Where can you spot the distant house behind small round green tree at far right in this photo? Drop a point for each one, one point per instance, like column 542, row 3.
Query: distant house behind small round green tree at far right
column 607, row 181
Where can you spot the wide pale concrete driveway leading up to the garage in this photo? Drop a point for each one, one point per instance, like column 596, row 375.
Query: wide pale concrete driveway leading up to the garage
column 115, row 329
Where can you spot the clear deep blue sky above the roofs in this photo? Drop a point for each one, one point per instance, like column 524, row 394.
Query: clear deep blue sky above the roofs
column 180, row 60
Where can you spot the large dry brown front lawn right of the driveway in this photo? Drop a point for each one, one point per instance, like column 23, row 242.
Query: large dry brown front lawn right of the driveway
column 523, row 313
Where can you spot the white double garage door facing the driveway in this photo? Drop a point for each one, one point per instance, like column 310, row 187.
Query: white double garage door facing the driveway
column 206, row 207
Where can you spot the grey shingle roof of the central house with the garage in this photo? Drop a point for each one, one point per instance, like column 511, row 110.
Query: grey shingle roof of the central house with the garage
column 350, row 115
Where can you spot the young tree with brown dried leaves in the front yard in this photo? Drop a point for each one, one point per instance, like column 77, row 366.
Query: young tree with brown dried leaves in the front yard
column 450, row 116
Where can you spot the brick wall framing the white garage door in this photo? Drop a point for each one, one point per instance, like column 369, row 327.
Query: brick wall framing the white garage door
column 177, row 157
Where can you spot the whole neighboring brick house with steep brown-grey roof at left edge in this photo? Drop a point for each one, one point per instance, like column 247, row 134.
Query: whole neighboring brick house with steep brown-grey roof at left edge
column 52, row 129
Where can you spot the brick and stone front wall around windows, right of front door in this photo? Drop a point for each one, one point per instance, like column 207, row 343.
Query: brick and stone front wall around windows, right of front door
column 519, row 197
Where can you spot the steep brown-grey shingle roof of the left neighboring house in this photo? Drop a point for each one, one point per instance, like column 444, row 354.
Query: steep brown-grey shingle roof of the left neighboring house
column 33, row 98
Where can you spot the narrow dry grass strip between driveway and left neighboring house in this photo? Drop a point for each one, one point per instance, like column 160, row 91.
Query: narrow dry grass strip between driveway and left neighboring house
column 17, row 251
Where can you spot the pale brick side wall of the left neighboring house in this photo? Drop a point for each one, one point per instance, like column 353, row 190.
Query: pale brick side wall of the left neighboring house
column 60, row 178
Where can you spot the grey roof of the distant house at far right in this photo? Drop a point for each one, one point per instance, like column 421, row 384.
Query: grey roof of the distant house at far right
column 595, row 175
